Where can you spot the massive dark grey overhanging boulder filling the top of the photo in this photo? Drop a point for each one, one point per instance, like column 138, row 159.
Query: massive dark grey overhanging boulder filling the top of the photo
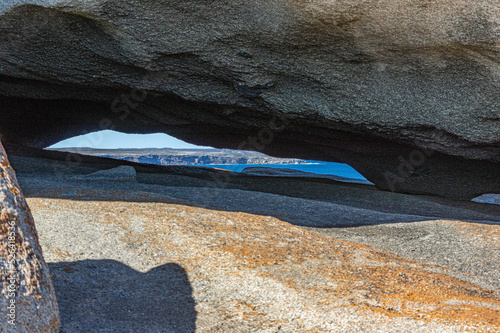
column 405, row 92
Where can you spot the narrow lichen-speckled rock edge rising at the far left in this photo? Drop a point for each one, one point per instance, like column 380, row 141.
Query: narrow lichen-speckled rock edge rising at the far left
column 27, row 300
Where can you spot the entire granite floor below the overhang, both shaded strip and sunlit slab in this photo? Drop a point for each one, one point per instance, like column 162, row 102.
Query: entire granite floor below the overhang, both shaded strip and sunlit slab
column 179, row 253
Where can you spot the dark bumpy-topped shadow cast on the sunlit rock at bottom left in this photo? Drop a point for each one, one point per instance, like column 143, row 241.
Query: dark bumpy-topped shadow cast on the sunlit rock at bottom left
column 108, row 296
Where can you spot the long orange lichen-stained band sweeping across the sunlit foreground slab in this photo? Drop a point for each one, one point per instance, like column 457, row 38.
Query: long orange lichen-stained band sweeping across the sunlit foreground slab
column 328, row 273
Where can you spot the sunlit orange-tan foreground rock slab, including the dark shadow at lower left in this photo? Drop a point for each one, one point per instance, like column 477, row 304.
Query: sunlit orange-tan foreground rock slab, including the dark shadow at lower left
column 205, row 270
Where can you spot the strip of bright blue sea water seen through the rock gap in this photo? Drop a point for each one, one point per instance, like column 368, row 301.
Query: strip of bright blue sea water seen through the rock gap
column 320, row 168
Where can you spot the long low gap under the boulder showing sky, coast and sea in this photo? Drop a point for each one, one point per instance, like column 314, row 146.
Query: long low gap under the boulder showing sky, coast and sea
column 165, row 150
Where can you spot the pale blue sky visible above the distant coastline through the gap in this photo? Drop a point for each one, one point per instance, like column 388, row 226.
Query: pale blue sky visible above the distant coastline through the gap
column 112, row 140
